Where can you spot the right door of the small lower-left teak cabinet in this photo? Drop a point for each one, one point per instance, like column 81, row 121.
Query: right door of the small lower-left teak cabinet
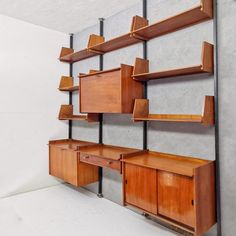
column 70, row 165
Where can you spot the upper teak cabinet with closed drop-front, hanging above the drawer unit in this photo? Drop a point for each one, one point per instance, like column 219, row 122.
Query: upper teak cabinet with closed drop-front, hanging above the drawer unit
column 111, row 91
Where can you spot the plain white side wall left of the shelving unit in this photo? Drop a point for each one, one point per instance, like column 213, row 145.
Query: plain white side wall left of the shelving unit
column 29, row 103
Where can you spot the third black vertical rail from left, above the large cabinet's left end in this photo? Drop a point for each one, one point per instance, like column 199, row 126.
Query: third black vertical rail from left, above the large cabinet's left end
column 145, row 126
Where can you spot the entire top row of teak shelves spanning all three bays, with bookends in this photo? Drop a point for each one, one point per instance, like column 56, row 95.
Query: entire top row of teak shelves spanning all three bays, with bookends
column 140, row 31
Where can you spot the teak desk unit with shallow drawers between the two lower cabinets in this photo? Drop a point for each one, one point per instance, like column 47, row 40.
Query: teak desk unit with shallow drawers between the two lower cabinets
column 105, row 155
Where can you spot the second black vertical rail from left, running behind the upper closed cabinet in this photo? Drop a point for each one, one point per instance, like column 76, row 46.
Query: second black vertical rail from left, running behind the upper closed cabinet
column 100, row 170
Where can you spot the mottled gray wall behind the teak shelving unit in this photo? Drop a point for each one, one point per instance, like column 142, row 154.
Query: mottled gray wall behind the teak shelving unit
column 176, row 95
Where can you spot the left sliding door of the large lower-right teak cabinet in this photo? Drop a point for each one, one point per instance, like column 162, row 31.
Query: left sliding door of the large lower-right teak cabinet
column 141, row 187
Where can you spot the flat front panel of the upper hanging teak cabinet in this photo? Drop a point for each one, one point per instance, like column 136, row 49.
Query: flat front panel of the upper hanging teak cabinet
column 101, row 93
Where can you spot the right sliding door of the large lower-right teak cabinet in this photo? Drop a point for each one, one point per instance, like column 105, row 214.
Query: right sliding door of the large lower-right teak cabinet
column 175, row 197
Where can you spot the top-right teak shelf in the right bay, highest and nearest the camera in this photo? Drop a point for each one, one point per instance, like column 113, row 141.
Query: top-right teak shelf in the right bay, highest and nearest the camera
column 200, row 13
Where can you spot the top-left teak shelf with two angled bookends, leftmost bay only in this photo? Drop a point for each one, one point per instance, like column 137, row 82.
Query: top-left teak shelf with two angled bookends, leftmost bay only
column 68, row 54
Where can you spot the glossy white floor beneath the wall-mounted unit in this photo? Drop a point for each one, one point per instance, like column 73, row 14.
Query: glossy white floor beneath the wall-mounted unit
column 63, row 211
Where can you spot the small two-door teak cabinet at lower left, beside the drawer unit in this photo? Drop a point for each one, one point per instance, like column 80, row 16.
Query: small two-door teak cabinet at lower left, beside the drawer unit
column 64, row 162
